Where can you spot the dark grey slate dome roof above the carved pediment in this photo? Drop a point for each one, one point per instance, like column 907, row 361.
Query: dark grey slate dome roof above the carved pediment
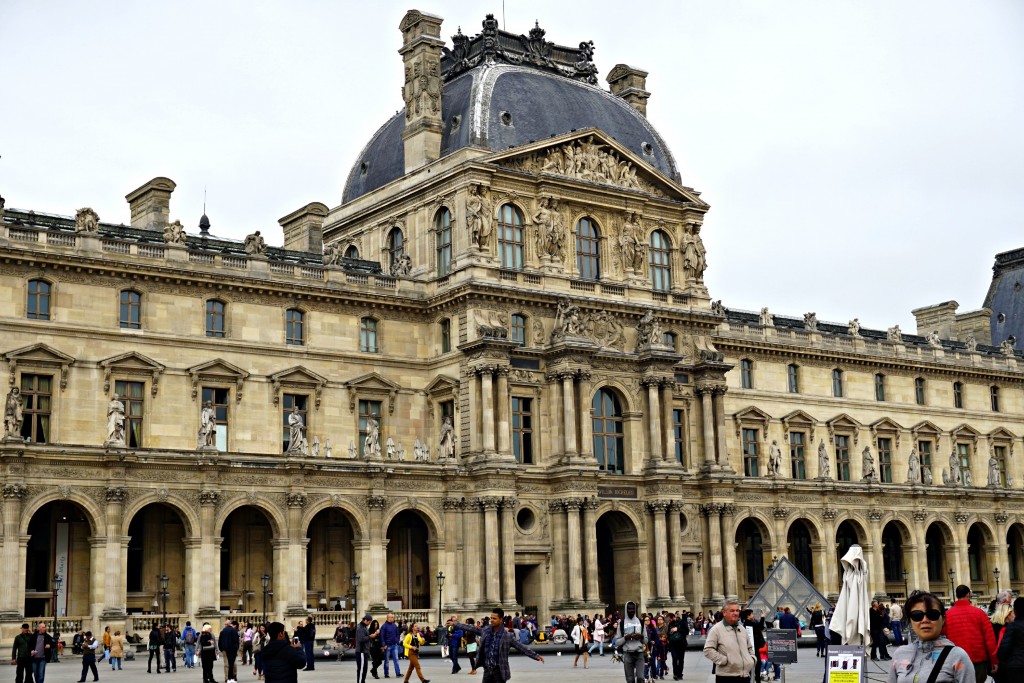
column 498, row 107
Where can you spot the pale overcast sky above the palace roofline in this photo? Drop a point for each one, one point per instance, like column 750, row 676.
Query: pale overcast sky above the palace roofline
column 862, row 158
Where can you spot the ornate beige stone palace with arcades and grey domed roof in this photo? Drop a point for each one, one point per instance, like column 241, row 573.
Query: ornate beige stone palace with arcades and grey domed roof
column 496, row 360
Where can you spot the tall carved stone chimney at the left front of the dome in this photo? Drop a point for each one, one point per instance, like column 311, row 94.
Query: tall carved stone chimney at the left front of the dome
column 421, row 54
